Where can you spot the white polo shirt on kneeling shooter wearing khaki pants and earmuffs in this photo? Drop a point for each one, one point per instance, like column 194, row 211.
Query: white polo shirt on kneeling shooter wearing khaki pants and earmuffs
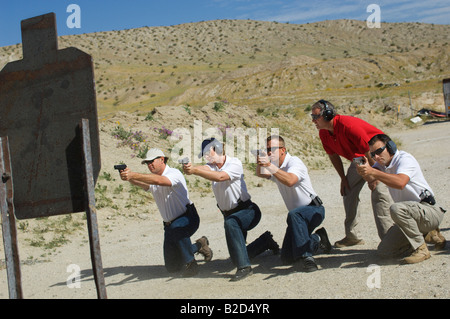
column 405, row 163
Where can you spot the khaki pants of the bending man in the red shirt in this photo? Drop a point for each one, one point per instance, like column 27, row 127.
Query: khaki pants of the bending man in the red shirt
column 381, row 201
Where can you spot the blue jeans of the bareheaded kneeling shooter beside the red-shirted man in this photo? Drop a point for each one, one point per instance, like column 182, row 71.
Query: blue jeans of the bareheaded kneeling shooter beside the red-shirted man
column 298, row 241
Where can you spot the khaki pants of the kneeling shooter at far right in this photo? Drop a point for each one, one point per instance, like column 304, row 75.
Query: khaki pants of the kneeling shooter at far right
column 412, row 220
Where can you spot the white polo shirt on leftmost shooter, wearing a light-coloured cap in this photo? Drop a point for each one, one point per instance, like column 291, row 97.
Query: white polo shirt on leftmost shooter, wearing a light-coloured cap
column 171, row 200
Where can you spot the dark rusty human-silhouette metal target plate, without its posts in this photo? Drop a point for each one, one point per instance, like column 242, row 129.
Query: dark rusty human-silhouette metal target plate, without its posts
column 43, row 99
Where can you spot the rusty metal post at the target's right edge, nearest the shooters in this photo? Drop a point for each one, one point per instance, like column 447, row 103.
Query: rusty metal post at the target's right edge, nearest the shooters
column 91, row 212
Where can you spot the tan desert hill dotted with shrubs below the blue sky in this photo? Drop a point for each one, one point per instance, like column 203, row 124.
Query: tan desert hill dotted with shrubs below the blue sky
column 263, row 64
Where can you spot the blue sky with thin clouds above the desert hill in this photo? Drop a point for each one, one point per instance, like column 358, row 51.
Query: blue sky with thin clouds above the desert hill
column 102, row 15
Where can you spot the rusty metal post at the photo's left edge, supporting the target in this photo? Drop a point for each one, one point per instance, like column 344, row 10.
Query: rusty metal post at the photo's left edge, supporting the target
column 9, row 222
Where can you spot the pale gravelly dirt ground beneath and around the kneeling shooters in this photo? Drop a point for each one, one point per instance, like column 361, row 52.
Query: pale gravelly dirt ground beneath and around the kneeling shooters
column 133, row 261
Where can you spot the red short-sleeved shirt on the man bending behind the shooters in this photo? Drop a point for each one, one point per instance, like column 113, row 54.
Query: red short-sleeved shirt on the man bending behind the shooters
column 350, row 138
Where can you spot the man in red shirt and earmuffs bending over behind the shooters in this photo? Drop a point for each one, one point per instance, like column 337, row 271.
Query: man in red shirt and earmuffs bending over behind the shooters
column 348, row 136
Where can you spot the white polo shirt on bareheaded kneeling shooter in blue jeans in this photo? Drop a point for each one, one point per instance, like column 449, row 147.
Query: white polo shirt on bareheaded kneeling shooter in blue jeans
column 300, row 193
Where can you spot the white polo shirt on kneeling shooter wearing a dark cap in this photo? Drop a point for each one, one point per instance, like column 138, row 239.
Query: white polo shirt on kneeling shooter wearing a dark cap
column 230, row 191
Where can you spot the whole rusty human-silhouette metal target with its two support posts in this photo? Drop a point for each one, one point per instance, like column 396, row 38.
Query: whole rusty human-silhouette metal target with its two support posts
column 50, row 153
